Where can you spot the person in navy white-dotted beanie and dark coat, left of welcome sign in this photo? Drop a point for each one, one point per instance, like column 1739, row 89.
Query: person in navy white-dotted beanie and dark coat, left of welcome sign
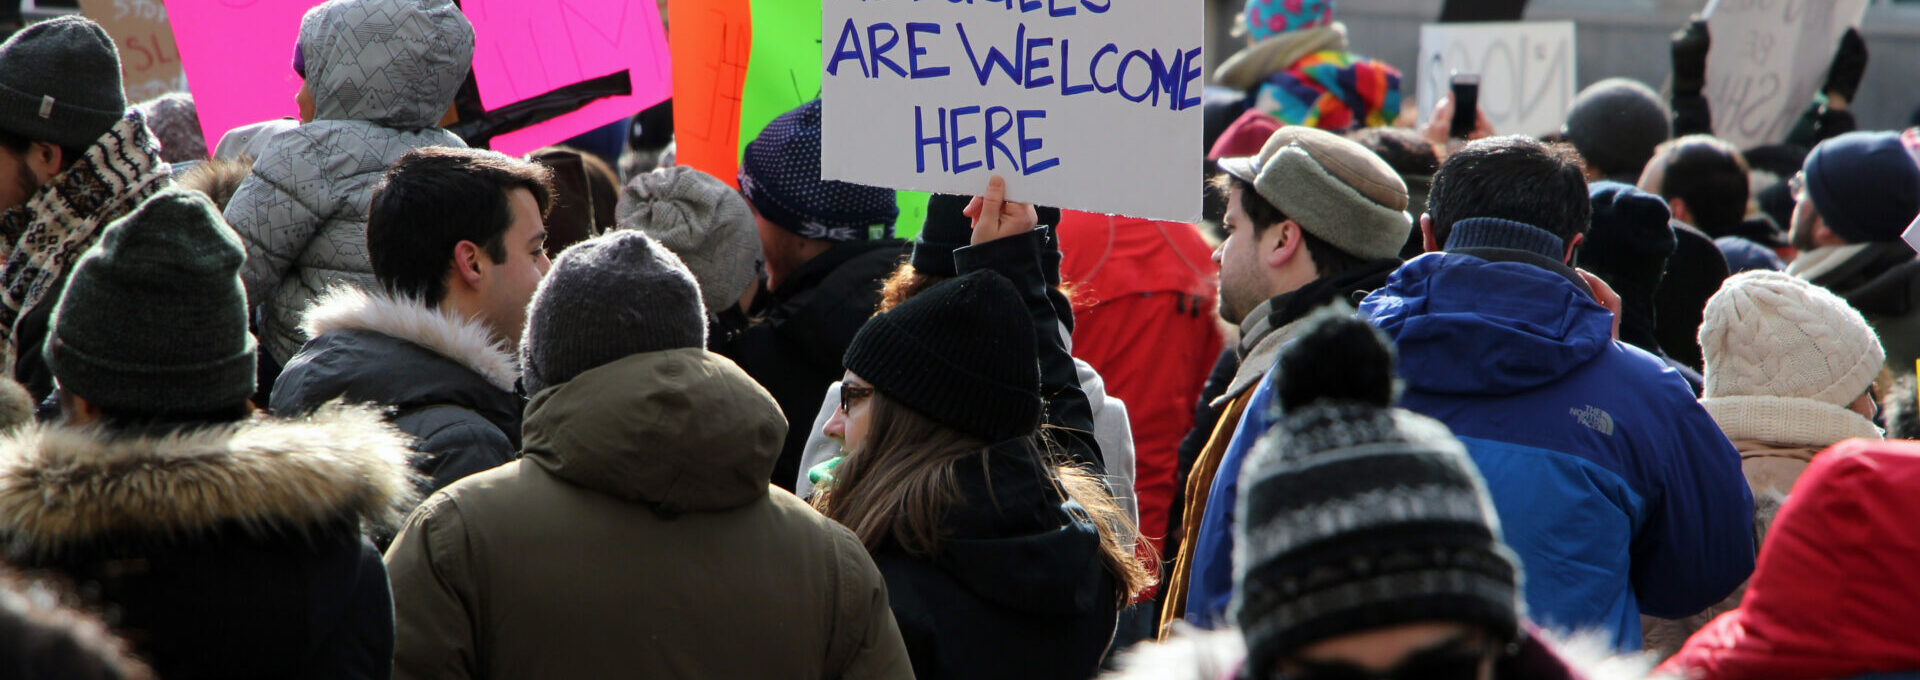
column 828, row 249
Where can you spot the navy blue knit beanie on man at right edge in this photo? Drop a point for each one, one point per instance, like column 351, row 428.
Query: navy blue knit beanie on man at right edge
column 1865, row 185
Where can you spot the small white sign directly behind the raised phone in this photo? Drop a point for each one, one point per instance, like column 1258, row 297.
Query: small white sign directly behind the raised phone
column 1525, row 68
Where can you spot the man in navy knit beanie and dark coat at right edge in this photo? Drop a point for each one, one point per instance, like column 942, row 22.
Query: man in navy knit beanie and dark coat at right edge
column 1856, row 197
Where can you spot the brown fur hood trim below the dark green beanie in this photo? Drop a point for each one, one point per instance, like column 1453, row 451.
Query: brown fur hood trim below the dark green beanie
column 62, row 485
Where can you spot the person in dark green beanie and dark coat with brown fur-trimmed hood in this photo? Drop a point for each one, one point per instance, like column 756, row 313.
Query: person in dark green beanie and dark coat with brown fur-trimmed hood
column 226, row 545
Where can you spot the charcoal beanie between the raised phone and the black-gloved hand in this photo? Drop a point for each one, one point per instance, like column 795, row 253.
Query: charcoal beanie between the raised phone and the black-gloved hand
column 1616, row 126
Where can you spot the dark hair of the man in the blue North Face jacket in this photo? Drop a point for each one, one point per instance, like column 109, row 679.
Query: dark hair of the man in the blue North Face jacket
column 1512, row 178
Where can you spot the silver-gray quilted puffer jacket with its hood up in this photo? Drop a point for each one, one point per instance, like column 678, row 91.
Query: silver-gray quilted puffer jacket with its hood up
column 383, row 74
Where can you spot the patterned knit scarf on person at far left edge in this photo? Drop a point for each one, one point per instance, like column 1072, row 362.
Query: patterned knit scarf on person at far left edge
column 43, row 237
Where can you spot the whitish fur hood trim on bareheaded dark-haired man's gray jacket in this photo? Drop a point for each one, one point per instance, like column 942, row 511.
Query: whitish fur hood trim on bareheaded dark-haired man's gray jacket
column 439, row 331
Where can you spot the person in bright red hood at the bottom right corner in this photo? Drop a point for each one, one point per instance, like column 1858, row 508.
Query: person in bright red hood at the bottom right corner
column 1833, row 595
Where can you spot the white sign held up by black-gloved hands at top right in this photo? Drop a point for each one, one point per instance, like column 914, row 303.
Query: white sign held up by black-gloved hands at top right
column 1769, row 59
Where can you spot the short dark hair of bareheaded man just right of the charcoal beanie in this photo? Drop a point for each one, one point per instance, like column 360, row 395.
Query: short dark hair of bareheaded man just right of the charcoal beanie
column 1712, row 178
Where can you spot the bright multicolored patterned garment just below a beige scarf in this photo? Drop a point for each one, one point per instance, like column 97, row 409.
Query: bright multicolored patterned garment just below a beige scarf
column 1333, row 91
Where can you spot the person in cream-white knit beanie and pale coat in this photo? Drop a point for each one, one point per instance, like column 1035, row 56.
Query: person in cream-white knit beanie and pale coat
column 1790, row 372
